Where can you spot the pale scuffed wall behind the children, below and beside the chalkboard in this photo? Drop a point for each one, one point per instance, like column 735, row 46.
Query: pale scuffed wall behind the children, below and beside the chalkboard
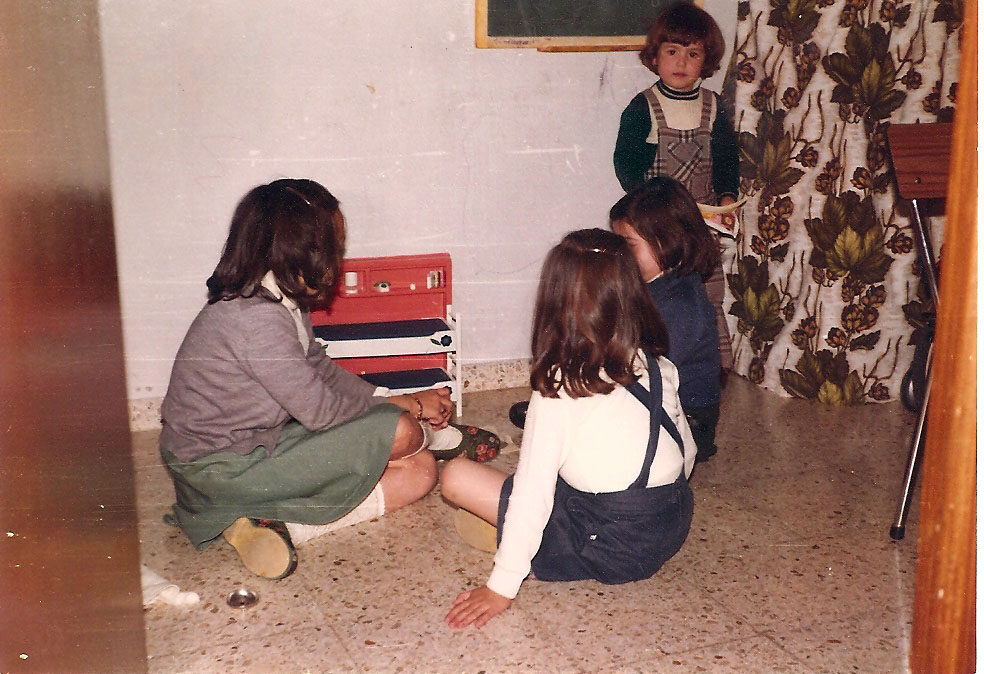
column 430, row 144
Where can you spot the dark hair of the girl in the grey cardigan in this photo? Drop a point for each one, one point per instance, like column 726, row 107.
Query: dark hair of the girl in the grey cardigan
column 292, row 227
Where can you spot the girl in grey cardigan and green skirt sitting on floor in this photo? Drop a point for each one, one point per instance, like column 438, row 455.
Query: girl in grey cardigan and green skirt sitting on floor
column 268, row 442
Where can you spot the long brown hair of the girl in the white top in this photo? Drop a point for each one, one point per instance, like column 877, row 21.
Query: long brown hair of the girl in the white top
column 592, row 315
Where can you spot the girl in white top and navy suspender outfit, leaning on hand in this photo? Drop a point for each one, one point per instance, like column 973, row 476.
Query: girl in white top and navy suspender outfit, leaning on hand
column 601, row 488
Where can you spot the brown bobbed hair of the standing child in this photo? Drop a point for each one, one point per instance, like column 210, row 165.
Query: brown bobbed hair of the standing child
column 684, row 23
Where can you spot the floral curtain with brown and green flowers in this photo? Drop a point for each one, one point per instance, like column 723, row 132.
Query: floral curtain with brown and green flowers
column 824, row 295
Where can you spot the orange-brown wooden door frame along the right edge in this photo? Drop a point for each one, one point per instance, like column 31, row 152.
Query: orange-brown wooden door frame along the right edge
column 944, row 630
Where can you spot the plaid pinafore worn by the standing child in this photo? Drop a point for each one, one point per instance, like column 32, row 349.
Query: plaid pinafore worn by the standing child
column 685, row 155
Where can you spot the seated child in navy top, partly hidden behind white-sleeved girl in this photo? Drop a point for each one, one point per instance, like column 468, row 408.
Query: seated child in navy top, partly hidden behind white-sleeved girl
column 674, row 248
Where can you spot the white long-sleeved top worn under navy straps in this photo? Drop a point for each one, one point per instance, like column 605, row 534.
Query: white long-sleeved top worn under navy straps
column 596, row 444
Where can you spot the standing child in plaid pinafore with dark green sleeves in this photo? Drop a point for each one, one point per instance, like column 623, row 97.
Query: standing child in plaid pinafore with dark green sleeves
column 679, row 129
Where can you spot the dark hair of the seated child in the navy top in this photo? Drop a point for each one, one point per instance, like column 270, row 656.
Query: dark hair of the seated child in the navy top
column 662, row 212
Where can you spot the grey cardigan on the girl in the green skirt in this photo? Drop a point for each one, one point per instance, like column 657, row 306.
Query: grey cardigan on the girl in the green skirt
column 241, row 374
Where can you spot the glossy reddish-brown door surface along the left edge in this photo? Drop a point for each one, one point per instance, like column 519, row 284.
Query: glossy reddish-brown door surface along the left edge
column 70, row 590
